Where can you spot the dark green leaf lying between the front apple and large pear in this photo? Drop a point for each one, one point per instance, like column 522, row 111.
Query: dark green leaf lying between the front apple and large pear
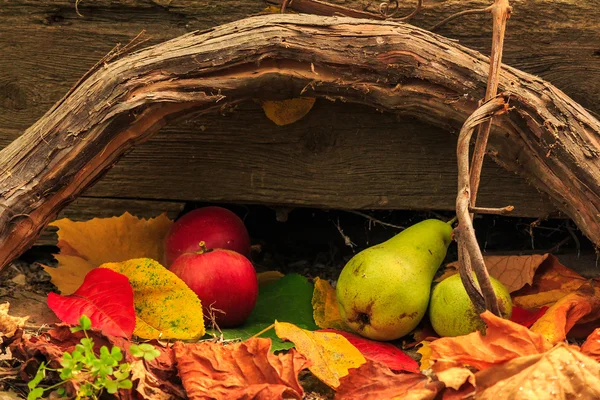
column 288, row 299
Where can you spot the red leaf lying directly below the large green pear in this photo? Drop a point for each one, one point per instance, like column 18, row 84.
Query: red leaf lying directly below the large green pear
column 385, row 353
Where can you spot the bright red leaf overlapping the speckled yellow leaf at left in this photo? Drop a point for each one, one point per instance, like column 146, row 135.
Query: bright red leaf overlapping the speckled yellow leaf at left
column 105, row 297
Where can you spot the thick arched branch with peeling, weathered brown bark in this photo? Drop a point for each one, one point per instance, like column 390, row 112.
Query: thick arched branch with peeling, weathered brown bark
column 547, row 138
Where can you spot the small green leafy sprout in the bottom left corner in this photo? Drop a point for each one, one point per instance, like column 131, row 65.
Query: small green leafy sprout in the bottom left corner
column 93, row 373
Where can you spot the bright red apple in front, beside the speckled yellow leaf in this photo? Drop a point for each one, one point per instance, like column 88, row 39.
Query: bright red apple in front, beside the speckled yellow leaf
column 222, row 279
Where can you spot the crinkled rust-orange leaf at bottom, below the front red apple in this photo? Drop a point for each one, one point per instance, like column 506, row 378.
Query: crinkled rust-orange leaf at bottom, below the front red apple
column 245, row 370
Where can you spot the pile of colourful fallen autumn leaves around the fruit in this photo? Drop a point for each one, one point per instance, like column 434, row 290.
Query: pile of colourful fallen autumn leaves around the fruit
column 110, row 270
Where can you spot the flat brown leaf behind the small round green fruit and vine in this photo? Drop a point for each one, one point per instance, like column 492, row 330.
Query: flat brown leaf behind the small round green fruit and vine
column 513, row 271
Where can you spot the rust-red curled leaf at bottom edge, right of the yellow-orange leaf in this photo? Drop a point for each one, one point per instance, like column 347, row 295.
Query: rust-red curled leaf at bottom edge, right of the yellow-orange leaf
column 373, row 380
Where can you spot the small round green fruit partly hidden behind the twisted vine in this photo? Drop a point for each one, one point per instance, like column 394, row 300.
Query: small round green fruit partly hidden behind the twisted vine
column 451, row 311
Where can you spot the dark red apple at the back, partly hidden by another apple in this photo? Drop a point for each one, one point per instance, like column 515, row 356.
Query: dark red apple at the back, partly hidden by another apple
column 218, row 227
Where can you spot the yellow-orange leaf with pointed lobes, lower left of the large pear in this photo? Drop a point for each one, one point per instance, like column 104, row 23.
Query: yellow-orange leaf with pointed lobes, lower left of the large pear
column 332, row 355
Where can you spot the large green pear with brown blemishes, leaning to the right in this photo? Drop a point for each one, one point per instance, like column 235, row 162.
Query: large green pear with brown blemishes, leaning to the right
column 383, row 291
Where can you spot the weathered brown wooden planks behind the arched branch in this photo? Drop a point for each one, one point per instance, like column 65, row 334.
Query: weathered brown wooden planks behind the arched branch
column 47, row 47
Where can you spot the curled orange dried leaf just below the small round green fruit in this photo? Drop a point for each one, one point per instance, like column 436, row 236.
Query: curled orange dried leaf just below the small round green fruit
column 503, row 341
